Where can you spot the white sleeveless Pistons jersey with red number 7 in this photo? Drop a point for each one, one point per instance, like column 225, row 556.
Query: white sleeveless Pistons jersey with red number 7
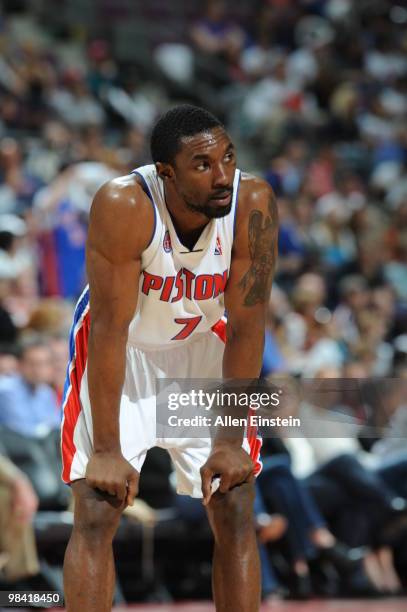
column 181, row 292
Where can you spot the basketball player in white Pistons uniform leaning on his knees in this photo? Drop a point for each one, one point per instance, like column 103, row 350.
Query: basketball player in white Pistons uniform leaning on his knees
column 170, row 247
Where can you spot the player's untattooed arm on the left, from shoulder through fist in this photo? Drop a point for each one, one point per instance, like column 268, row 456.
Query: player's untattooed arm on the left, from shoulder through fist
column 121, row 225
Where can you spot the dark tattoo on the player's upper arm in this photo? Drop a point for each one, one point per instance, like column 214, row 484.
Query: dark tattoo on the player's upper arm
column 262, row 240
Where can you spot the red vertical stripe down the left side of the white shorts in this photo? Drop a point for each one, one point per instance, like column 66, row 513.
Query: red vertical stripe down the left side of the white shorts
column 72, row 406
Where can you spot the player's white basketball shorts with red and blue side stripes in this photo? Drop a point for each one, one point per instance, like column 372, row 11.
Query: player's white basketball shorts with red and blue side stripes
column 201, row 357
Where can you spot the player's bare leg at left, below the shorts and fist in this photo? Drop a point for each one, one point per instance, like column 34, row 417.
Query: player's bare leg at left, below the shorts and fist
column 89, row 574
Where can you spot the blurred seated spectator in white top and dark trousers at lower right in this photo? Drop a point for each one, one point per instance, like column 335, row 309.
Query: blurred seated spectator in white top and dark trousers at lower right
column 348, row 490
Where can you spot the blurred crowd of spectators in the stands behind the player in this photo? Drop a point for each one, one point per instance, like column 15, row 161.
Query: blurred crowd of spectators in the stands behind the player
column 314, row 93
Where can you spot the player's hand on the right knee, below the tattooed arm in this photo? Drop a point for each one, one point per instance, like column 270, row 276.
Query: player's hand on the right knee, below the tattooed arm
column 228, row 462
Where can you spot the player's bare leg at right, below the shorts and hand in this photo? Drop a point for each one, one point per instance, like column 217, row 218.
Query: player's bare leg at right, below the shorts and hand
column 236, row 566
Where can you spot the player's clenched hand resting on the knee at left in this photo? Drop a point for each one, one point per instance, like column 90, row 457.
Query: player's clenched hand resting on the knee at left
column 112, row 473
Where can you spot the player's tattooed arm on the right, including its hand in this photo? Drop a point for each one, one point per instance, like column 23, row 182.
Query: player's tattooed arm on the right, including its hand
column 246, row 298
